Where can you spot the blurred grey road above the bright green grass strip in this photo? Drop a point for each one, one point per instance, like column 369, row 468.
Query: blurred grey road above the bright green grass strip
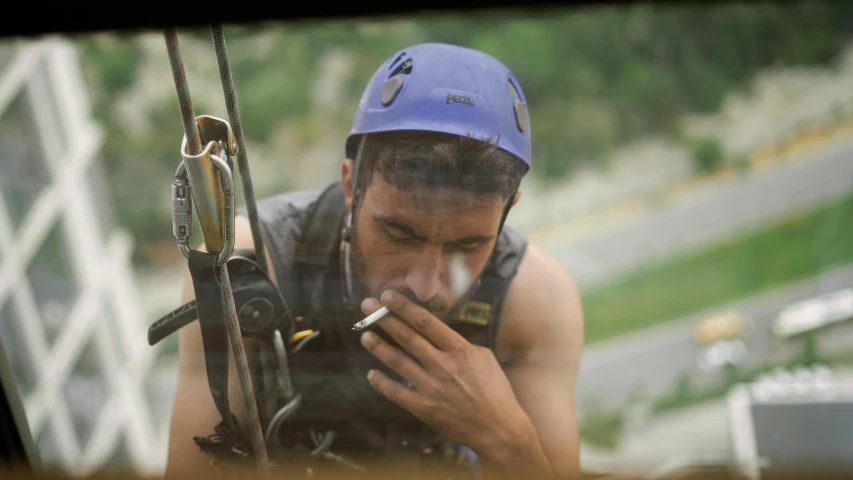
column 712, row 212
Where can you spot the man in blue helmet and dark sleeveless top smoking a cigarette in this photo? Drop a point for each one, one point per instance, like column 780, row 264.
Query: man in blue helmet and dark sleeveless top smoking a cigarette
column 483, row 344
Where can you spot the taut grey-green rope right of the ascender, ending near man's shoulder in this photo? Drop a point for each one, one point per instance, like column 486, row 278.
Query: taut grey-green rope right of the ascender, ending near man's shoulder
column 237, row 126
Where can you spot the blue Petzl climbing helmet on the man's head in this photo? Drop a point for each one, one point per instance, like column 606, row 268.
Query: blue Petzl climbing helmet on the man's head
column 449, row 89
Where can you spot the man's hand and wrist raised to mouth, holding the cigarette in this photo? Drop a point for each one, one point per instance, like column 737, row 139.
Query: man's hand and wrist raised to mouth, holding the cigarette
column 458, row 388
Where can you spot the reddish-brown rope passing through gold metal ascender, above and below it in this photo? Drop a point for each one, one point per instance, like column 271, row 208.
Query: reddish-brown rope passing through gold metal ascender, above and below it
column 231, row 321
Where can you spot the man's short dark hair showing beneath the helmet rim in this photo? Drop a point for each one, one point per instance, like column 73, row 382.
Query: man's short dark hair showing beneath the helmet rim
column 411, row 160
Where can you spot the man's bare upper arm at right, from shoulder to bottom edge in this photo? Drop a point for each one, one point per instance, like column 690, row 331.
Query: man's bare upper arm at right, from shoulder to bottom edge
column 543, row 320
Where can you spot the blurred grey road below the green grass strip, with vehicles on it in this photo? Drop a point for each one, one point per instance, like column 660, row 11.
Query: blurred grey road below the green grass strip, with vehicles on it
column 654, row 359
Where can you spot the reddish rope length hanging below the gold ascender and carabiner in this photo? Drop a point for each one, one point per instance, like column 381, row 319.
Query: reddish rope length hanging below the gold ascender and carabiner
column 236, row 339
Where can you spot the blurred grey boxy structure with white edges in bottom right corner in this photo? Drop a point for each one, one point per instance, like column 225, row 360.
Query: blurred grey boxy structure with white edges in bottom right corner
column 793, row 421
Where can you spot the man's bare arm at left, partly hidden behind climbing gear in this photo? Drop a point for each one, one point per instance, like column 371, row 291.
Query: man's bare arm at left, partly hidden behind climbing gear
column 194, row 413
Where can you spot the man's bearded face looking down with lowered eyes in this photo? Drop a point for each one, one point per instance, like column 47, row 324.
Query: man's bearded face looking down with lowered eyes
column 415, row 242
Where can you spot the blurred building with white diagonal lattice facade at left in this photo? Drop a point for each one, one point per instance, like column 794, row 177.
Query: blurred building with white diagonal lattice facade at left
column 70, row 317
